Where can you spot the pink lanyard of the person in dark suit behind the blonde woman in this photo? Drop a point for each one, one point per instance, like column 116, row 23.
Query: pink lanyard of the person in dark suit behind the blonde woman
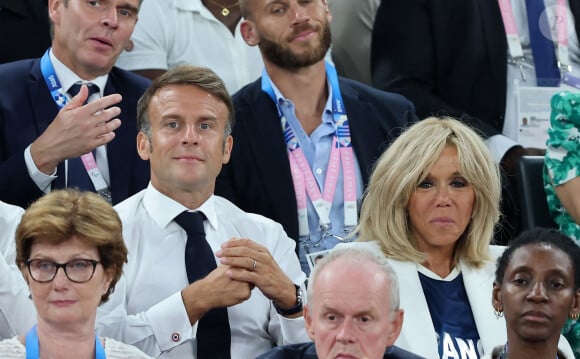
column 513, row 38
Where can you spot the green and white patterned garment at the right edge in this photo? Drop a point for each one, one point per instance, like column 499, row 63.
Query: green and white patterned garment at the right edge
column 563, row 164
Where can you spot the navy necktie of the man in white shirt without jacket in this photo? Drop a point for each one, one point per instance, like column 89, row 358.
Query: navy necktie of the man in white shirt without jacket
column 213, row 329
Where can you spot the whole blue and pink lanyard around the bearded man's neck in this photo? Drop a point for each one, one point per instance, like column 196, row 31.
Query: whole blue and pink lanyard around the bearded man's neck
column 340, row 154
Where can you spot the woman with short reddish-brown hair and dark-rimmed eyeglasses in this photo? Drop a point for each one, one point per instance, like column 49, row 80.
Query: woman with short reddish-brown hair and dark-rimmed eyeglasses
column 70, row 251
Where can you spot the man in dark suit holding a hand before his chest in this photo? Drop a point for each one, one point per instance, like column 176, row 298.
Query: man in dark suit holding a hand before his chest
column 49, row 137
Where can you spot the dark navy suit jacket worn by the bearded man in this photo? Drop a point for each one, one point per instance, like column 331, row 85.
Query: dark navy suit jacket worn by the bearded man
column 258, row 178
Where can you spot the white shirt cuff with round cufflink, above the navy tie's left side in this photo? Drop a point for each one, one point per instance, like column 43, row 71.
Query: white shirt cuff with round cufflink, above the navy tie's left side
column 170, row 322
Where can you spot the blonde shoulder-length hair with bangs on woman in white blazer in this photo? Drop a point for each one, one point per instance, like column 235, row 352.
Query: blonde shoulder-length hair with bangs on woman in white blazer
column 407, row 162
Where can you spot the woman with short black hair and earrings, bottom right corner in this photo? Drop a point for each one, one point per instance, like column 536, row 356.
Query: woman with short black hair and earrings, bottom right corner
column 536, row 288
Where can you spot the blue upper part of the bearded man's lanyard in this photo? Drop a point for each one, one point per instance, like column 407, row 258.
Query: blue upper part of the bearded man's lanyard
column 338, row 110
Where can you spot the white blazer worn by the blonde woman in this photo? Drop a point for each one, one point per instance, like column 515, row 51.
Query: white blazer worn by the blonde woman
column 418, row 333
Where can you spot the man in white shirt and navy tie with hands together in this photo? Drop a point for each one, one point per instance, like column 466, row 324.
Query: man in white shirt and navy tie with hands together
column 185, row 119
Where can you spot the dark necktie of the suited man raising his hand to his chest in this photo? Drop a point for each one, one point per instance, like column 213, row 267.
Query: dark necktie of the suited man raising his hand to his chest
column 77, row 173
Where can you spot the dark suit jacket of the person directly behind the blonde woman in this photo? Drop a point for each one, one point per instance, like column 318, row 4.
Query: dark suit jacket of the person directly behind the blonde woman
column 447, row 57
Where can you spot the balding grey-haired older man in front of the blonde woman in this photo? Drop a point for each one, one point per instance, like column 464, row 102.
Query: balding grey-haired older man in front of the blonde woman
column 352, row 309
